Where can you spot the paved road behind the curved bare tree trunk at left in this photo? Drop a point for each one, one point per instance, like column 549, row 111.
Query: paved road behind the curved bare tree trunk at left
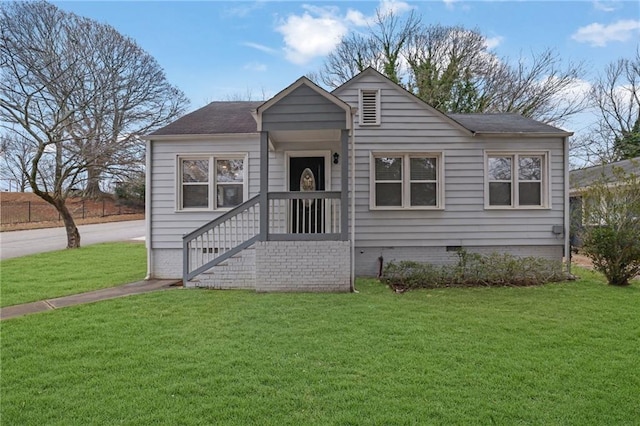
column 21, row 243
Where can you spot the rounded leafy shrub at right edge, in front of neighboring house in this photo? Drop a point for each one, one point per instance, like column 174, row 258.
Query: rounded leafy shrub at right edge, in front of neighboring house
column 611, row 237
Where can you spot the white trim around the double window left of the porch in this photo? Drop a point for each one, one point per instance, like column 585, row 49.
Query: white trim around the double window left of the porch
column 212, row 179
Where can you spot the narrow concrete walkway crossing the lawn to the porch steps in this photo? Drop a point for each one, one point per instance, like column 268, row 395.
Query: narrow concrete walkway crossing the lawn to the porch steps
column 92, row 296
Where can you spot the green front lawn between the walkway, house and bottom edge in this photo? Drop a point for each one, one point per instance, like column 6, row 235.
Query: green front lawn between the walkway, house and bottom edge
column 559, row 354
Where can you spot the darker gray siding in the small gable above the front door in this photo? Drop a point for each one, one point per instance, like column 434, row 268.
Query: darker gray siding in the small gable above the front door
column 303, row 109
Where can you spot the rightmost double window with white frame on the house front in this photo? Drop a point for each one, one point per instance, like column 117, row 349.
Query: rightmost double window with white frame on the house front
column 516, row 180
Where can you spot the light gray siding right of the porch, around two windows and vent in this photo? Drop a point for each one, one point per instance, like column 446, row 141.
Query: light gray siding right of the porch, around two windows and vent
column 408, row 125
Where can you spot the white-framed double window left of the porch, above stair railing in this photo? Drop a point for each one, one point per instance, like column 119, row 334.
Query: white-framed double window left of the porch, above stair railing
column 211, row 182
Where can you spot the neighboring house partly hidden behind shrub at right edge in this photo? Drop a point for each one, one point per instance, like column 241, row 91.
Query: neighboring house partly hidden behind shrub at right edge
column 582, row 179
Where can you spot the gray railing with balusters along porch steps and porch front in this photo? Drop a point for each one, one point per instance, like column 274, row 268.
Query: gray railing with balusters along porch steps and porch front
column 291, row 216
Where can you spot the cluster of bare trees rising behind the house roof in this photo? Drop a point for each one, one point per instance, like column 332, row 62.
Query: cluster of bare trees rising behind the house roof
column 452, row 69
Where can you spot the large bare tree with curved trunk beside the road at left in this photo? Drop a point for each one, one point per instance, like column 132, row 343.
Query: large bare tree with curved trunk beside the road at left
column 76, row 93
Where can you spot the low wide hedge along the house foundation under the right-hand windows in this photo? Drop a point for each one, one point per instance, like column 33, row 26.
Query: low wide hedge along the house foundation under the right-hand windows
column 474, row 269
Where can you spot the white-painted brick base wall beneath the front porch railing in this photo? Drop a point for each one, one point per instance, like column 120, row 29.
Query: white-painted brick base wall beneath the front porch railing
column 312, row 266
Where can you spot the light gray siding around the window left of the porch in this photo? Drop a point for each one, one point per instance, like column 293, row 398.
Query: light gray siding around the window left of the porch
column 169, row 225
